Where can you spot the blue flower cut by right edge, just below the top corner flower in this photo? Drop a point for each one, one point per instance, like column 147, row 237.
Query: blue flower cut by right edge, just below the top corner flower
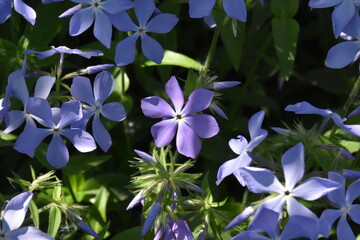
column 345, row 53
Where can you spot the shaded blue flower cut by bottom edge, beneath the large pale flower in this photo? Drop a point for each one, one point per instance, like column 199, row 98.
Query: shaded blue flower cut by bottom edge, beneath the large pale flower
column 297, row 227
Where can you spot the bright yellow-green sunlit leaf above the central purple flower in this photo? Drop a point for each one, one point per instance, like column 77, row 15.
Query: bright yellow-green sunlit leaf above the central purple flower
column 176, row 59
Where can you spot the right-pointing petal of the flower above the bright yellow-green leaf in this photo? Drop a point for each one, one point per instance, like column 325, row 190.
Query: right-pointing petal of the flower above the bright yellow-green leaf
column 162, row 23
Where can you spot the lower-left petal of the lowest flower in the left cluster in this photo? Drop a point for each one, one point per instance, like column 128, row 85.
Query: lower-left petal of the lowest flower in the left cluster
column 30, row 139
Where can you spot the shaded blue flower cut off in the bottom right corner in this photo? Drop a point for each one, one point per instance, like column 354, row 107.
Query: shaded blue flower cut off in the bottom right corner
column 345, row 208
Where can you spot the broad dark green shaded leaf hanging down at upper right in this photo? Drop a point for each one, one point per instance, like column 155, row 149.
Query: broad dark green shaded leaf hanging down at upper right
column 285, row 34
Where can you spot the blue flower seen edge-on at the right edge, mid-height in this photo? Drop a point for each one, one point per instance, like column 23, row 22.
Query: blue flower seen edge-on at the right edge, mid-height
column 306, row 108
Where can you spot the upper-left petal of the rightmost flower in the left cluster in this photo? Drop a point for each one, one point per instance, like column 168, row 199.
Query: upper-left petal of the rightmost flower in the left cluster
column 82, row 91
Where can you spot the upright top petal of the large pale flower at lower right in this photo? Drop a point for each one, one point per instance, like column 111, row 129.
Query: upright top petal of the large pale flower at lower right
column 293, row 165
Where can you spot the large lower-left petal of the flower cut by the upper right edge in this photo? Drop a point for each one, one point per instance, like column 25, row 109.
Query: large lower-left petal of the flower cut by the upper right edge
column 342, row 54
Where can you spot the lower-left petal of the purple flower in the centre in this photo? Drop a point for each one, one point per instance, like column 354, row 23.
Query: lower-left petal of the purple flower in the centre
column 163, row 132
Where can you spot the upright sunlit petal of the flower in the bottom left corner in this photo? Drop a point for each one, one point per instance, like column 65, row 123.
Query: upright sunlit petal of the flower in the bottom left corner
column 15, row 211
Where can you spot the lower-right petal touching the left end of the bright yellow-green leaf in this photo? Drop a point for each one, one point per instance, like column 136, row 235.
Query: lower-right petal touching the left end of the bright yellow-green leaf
column 152, row 49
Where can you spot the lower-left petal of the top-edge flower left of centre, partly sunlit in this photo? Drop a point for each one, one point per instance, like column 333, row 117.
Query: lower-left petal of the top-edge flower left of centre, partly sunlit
column 81, row 21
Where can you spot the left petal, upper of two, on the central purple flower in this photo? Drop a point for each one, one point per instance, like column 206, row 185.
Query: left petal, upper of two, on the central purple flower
column 156, row 107
